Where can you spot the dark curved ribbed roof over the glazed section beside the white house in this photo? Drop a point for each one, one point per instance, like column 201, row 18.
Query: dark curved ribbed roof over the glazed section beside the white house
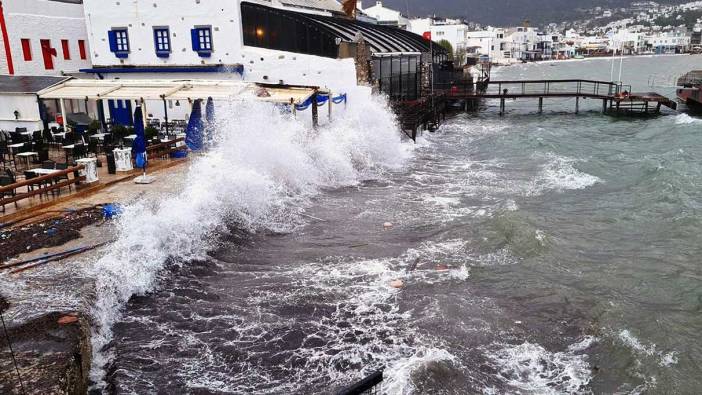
column 380, row 38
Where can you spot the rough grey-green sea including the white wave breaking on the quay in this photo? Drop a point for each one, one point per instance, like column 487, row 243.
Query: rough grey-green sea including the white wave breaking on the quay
column 553, row 253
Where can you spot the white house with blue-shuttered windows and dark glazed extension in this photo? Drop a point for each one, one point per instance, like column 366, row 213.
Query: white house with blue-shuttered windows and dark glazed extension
column 279, row 42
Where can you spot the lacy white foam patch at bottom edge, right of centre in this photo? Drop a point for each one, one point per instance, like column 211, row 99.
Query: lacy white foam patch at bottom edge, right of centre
column 530, row 367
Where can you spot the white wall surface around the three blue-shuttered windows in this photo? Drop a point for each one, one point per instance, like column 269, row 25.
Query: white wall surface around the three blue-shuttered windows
column 260, row 65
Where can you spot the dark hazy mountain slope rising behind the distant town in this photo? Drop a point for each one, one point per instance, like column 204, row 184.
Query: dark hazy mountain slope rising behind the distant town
column 504, row 12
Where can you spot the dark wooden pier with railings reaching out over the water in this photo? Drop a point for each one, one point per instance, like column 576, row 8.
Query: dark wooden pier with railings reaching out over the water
column 616, row 98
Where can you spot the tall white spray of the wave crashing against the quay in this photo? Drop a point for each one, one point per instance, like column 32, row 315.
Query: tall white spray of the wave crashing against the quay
column 263, row 167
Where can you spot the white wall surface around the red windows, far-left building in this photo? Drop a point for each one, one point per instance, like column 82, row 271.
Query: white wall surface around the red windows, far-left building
column 44, row 19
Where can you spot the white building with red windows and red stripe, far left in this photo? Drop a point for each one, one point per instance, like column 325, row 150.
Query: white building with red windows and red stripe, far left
column 42, row 37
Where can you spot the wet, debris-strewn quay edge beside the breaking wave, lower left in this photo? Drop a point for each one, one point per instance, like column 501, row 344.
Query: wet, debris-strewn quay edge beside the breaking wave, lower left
column 49, row 307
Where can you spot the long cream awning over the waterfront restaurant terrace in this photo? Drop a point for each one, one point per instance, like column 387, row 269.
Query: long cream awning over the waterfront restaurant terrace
column 121, row 89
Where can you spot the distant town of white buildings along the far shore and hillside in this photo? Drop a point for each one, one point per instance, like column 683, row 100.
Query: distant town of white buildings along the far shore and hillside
column 635, row 32
